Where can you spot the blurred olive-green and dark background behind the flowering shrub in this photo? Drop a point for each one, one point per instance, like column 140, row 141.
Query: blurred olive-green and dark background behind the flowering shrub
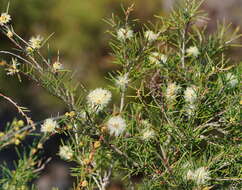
column 79, row 35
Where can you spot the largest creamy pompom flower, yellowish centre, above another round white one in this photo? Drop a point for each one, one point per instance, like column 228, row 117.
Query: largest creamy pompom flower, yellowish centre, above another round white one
column 98, row 99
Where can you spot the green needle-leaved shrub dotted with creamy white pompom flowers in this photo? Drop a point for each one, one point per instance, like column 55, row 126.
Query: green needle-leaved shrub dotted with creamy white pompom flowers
column 176, row 124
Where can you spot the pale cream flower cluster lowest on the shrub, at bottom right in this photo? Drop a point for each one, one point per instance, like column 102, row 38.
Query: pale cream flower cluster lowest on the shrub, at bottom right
column 200, row 176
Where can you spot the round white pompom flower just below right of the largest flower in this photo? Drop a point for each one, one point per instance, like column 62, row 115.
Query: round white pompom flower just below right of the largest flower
column 116, row 125
